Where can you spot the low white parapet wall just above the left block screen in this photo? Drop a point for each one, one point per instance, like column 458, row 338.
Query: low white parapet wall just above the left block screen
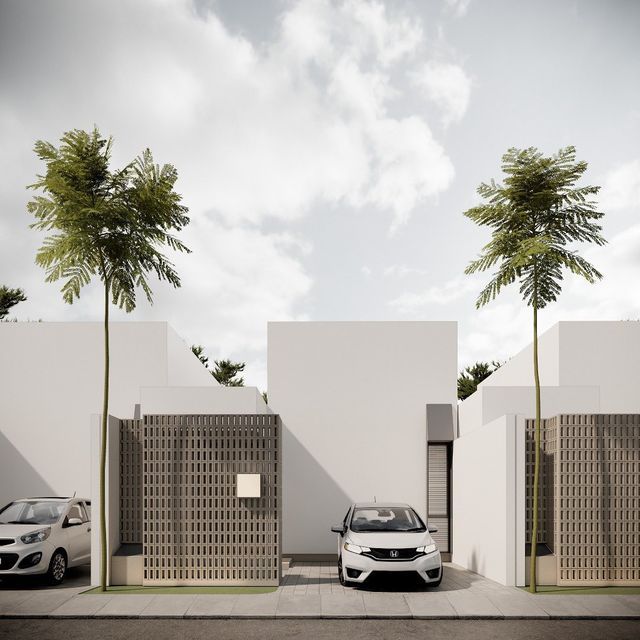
column 201, row 400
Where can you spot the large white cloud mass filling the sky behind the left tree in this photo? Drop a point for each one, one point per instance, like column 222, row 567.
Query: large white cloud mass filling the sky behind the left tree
column 257, row 132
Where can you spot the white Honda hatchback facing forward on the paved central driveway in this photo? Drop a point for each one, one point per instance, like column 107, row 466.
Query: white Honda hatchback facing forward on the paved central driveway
column 387, row 538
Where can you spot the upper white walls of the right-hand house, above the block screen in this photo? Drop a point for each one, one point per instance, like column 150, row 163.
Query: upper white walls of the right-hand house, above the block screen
column 586, row 367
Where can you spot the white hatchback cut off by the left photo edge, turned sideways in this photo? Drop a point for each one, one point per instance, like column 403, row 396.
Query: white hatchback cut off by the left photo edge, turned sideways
column 44, row 536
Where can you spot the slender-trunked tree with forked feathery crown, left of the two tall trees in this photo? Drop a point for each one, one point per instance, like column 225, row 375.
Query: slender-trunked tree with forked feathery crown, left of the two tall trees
column 109, row 224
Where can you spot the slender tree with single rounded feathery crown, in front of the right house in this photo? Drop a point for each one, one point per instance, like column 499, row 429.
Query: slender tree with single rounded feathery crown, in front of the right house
column 534, row 215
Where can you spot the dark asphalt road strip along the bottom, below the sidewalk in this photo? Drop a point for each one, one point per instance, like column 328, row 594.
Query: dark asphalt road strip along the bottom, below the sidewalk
column 318, row 629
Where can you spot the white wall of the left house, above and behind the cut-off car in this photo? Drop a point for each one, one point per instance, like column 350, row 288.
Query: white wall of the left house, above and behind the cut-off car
column 50, row 384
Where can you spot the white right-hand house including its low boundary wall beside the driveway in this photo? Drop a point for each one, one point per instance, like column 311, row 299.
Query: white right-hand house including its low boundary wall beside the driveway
column 585, row 368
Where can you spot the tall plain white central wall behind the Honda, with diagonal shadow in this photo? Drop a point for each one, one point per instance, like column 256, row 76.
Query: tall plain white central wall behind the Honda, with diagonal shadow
column 352, row 398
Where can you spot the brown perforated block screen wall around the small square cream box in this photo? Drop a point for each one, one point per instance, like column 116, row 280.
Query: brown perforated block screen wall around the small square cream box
column 195, row 529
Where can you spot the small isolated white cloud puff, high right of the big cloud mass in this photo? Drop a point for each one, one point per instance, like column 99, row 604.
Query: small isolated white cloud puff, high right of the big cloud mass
column 447, row 85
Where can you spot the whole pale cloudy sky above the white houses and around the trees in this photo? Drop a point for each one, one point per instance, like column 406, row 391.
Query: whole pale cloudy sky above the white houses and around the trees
column 327, row 151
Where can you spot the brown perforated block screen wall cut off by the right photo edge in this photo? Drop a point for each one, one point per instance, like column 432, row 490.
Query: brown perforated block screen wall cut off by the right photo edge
column 591, row 515
